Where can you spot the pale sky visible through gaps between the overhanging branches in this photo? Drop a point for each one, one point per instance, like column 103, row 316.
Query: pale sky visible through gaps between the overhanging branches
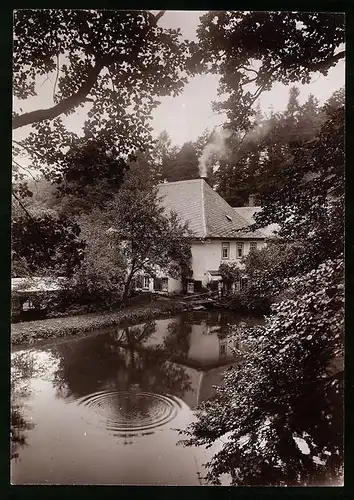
column 187, row 116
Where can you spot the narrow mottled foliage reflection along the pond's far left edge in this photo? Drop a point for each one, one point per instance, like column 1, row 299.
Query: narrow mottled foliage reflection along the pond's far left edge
column 22, row 369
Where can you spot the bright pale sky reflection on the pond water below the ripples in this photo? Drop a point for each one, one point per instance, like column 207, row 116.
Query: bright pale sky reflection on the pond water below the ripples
column 71, row 444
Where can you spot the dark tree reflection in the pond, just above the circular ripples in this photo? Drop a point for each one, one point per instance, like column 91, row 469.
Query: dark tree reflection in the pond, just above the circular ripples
column 120, row 360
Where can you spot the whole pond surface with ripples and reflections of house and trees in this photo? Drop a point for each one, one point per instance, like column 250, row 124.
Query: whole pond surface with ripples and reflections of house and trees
column 104, row 408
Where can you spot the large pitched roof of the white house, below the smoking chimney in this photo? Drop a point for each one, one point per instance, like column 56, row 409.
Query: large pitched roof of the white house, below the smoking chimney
column 208, row 214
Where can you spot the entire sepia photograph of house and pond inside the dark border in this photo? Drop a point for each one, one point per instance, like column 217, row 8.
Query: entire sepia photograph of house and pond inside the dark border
column 177, row 248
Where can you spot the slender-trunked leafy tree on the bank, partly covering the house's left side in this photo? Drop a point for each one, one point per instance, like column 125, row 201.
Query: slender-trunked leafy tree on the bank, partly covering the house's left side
column 148, row 238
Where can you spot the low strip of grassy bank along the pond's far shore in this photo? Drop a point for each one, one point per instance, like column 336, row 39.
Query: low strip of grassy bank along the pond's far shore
column 32, row 331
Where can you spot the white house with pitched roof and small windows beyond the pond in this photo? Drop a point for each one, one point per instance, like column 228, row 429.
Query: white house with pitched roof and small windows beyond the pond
column 220, row 233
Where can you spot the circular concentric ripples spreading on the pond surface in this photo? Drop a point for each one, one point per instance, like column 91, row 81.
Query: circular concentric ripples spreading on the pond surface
column 129, row 413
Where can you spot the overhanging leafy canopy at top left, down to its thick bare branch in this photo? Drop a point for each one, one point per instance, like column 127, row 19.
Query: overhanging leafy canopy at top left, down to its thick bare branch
column 97, row 55
